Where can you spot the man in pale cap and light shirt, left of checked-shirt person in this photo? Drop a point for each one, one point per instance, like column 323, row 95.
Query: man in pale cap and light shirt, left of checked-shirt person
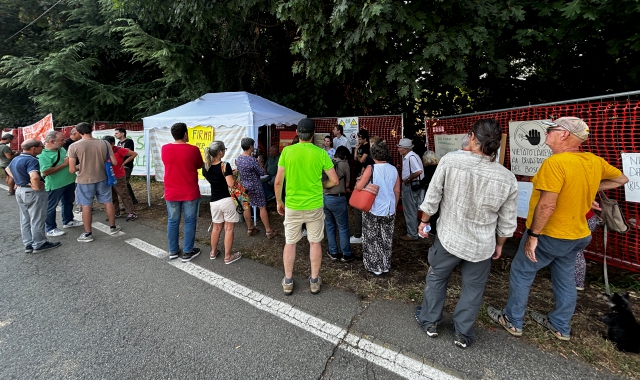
column 411, row 190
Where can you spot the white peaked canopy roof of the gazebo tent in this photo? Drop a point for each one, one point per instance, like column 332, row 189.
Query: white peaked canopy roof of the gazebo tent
column 226, row 108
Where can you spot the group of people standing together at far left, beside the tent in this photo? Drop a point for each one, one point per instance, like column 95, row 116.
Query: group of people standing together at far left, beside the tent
column 55, row 174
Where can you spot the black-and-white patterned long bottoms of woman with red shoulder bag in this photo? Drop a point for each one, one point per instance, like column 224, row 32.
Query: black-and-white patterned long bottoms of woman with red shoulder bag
column 377, row 241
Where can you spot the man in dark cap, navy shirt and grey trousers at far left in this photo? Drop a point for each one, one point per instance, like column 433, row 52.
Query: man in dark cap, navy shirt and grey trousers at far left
column 31, row 197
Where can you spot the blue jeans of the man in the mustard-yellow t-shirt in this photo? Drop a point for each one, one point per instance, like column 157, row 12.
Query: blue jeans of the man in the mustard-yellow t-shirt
column 560, row 256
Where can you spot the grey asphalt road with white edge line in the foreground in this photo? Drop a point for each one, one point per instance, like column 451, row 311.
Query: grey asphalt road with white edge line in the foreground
column 118, row 308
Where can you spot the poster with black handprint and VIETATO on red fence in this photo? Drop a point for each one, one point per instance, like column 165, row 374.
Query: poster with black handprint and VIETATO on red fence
column 527, row 146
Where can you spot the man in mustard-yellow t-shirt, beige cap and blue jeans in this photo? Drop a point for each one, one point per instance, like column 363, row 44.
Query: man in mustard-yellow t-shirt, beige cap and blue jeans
column 564, row 189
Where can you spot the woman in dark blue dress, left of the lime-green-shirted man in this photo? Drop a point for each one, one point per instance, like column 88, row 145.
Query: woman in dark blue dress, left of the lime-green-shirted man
column 250, row 172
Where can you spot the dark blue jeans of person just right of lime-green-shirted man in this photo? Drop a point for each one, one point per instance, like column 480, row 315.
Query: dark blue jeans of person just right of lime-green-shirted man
column 335, row 212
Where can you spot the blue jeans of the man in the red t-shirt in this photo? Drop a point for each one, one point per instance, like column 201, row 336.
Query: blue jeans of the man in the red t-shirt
column 174, row 210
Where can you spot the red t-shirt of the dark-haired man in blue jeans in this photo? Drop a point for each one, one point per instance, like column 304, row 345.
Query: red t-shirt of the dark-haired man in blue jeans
column 181, row 164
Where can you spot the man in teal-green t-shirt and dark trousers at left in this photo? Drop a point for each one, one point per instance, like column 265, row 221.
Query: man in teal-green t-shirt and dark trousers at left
column 60, row 184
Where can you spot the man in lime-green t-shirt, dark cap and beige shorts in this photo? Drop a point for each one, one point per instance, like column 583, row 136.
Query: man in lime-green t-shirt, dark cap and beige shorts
column 302, row 166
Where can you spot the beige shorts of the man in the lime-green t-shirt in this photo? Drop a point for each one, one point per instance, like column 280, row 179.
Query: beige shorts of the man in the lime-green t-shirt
column 293, row 220
